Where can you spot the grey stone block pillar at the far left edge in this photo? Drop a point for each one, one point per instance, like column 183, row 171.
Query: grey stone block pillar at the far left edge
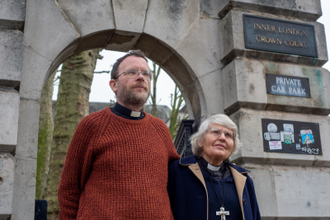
column 12, row 16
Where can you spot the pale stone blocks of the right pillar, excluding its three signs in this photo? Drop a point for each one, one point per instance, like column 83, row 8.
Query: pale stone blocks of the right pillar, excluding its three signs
column 288, row 185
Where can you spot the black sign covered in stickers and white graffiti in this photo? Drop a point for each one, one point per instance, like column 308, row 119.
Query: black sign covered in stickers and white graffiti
column 280, row 136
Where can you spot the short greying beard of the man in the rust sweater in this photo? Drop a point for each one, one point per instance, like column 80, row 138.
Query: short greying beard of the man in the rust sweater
column 132, row 98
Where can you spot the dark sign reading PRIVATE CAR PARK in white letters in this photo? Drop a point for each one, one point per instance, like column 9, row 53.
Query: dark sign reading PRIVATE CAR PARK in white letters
column 287, row 85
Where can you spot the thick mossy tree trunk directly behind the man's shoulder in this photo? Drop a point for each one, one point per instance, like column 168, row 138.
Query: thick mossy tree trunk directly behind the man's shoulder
column 71, row 107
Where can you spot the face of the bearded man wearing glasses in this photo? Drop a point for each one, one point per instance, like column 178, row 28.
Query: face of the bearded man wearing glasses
column 131, row 92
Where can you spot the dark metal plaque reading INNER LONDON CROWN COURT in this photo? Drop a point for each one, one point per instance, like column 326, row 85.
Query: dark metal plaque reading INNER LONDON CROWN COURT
column 279, row 36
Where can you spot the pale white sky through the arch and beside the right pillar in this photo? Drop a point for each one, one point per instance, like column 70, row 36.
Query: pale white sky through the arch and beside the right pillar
column 101, row 92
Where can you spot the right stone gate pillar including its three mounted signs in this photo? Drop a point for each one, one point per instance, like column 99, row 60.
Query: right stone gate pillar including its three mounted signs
column 275, row 89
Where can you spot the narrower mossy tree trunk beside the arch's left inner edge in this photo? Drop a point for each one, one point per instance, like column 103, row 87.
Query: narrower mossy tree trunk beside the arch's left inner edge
column 45, row 136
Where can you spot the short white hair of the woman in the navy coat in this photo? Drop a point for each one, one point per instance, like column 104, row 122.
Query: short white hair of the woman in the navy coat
column 218, row 119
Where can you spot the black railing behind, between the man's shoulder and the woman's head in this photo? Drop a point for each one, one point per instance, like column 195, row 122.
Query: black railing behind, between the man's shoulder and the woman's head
column 181, row 142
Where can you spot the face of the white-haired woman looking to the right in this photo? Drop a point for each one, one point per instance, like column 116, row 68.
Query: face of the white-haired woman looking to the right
column 218, row 144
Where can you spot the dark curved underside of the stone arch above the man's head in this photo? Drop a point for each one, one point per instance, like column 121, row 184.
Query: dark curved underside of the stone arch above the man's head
column 155, row 49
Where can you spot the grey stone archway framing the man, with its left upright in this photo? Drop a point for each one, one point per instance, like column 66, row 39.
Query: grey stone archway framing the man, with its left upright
column 177, row 35
